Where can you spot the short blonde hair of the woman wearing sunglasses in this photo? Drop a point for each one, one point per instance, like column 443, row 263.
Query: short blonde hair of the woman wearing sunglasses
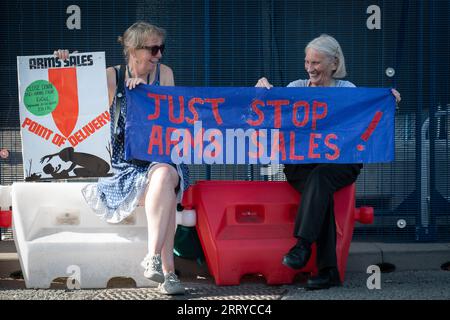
column 136, row 36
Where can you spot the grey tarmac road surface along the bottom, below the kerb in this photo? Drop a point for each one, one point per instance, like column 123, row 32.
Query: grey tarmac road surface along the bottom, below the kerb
column 402, row 285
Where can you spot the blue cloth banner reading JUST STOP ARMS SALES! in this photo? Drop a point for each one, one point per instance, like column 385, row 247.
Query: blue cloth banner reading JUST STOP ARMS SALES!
column 241, row 125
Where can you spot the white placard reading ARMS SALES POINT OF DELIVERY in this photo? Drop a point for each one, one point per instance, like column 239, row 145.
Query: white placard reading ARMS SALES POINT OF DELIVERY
column 64, row 116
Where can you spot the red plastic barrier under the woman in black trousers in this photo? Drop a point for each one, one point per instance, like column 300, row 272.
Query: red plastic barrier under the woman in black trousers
column 246, row 227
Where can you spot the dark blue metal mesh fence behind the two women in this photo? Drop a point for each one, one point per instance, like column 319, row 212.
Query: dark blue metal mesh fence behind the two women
column 234, row 43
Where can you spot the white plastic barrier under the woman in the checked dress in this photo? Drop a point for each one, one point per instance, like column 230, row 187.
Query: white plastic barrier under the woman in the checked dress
column 58, row 235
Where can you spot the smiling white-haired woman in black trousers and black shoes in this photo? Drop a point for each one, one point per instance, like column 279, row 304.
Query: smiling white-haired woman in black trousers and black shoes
column 325, row 65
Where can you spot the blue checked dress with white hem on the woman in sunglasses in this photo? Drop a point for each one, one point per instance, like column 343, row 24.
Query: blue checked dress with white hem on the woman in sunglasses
column 115, row 198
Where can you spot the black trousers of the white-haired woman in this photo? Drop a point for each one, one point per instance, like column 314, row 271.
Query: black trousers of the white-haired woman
column 315, row 219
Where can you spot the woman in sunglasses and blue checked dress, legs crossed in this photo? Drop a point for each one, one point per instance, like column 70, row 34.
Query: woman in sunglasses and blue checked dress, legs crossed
column 158, row 186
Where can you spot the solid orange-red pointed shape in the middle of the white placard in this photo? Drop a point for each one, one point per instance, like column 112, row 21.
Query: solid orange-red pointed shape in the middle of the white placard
column 65, row 114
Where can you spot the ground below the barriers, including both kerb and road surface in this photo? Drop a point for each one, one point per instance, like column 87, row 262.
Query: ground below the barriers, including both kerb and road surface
column 415, row 271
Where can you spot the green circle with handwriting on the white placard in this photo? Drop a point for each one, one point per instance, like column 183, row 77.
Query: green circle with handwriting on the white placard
column 41, row 97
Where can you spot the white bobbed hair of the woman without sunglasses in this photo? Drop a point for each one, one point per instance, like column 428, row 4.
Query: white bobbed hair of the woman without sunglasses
column 329, row 45
